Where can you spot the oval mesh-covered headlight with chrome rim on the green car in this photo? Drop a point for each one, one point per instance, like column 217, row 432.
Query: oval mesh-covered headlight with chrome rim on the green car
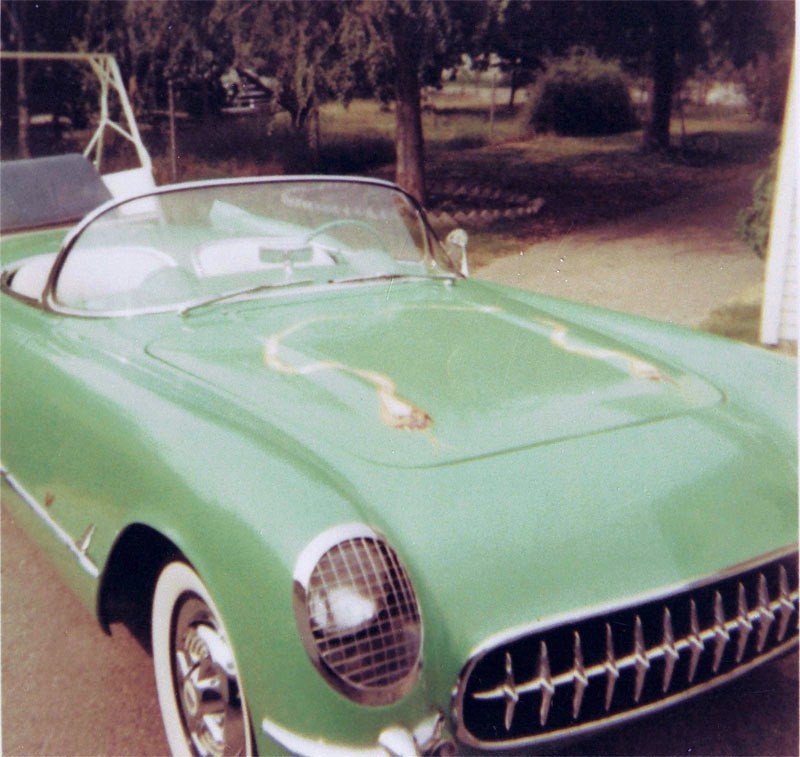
column 358, row 615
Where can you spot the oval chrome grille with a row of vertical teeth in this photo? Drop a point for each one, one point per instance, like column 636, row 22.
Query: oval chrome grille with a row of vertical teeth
column 552, row 681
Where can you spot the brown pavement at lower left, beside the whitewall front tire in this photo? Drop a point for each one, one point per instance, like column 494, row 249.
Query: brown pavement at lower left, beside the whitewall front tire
column 67, row 688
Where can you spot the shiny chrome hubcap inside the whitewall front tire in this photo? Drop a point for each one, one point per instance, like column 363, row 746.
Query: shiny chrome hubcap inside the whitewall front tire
column 206, row 682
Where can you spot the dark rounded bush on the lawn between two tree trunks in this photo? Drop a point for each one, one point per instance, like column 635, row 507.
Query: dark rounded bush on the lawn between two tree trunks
column 581, row 95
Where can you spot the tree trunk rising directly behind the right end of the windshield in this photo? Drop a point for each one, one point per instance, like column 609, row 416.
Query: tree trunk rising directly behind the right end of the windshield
column 409, row 143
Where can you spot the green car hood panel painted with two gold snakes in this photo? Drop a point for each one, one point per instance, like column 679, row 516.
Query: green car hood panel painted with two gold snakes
column 425, row 374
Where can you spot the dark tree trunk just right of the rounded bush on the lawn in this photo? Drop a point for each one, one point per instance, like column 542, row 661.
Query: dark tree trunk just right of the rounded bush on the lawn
column 656, row 132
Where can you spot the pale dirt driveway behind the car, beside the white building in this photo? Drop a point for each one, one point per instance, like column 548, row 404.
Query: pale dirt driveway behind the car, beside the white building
column 676, row 262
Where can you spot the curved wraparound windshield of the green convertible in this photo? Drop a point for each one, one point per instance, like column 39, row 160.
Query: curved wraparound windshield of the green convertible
column 184, row 248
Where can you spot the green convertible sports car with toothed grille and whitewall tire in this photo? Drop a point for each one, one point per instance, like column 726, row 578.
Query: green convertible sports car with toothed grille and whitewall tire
column 369, row 505
